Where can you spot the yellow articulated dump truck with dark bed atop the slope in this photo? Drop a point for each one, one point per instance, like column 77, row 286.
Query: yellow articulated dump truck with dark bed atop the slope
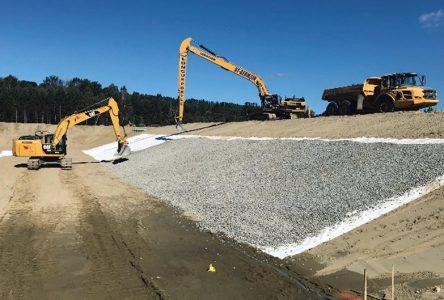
column 388, row 93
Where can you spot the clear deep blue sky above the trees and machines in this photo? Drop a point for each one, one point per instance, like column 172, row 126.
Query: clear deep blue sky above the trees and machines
column 297, row 48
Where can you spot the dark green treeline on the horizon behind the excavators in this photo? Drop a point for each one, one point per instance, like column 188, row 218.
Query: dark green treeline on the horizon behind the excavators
column 28, row 102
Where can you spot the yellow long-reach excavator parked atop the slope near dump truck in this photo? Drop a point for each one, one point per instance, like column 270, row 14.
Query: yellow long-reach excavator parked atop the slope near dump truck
column 272, row 105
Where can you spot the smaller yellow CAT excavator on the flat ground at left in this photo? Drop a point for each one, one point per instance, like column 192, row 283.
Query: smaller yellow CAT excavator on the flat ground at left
column 50, row 148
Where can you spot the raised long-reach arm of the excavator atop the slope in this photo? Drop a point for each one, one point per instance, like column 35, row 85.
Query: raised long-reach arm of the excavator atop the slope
column 210, row 56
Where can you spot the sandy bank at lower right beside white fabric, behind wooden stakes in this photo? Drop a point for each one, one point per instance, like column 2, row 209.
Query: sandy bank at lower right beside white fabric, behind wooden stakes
column 411, row 238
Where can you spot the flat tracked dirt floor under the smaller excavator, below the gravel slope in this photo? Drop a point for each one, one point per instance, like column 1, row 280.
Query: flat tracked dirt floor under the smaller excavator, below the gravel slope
column 85, row 234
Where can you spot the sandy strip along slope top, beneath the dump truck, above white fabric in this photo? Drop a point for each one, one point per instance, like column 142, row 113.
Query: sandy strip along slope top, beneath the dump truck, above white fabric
column 394, row 125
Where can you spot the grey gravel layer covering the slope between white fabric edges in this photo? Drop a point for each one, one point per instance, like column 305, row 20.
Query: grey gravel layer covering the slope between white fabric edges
column 269, row 193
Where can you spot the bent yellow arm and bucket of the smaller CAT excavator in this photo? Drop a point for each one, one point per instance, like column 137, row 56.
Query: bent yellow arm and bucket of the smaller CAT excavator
column 111, row 107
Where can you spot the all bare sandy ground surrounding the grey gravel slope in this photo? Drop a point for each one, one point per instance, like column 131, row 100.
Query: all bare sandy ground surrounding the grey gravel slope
column 69, row 235
